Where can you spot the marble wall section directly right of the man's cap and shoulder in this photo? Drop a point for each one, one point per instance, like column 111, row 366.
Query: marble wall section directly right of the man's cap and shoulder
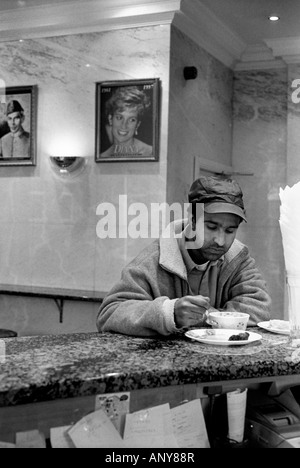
column 259, row 148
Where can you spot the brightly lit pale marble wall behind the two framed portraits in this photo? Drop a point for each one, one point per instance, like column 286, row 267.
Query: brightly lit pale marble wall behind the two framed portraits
column 48, row 224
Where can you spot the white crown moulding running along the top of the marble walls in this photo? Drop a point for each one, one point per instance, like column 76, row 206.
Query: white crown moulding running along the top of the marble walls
column 190, row 16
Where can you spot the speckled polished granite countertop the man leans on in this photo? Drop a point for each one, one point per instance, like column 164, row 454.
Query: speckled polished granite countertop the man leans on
column 41, row 368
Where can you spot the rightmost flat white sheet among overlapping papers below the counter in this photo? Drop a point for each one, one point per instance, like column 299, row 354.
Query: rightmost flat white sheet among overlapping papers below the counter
column 189, row 425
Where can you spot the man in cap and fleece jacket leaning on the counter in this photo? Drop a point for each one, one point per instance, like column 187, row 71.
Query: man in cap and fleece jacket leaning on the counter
column 175, row 281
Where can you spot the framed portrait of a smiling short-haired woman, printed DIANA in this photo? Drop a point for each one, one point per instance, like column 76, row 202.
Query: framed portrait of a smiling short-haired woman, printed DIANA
column 127, row 120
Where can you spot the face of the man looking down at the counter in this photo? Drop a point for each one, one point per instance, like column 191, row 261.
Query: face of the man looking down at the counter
column 219, row 233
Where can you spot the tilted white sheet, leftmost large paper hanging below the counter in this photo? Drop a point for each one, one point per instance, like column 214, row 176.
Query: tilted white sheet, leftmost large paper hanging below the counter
column 95, row 431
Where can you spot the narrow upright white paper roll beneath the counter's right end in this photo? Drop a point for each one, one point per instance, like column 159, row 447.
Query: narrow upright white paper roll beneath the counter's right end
column 236, row 410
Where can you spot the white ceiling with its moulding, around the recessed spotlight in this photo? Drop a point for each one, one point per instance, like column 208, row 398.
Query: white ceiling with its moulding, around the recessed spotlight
column 237, row 32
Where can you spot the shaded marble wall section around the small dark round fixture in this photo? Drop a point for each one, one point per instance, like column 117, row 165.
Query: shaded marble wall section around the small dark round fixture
column 200, row 113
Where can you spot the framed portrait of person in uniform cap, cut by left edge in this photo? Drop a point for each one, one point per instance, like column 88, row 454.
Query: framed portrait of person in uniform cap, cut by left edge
column 18, row 123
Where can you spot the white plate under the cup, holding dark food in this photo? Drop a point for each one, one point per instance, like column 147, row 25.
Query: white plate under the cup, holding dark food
column 220, row 337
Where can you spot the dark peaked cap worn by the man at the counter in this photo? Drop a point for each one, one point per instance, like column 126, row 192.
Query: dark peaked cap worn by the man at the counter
column 218, row 195
